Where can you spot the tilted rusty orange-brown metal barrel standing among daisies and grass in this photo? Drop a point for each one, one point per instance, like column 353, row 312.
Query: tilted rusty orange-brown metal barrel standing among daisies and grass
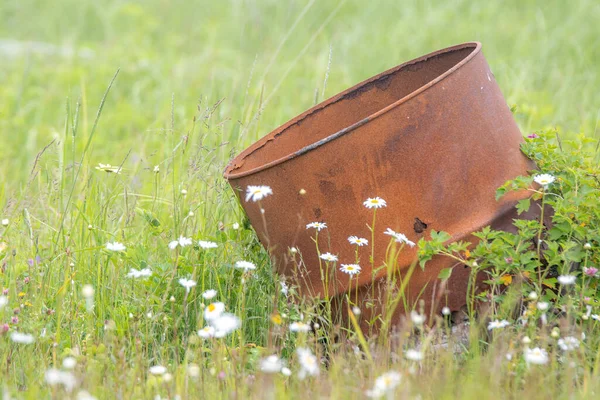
column 433, row 137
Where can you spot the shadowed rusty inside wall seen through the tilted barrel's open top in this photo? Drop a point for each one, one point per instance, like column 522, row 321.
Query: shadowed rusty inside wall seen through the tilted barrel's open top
column 348, row 108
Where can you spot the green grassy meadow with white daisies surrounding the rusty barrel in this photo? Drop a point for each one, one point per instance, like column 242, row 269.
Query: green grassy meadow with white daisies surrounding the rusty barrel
column 167, row 92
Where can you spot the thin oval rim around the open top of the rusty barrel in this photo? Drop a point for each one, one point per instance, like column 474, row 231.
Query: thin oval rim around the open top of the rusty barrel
column 229, row 174
